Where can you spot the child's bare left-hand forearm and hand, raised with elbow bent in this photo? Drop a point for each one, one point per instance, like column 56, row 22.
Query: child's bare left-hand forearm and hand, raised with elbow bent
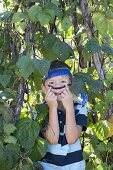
column 51, row 132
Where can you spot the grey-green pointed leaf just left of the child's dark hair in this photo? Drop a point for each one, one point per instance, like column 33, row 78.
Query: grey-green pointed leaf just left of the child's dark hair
column 42, row 66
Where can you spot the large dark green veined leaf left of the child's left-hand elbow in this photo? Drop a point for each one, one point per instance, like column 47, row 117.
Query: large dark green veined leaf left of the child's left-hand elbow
column 27, row 132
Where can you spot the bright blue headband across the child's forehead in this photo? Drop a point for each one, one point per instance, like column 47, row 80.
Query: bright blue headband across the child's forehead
column 58, row 72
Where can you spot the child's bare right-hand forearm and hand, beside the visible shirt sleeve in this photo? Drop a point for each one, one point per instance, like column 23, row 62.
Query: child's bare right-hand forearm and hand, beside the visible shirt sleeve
column 72, row 130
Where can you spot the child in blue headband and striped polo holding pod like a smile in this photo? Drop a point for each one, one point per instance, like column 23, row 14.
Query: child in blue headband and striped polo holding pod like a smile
column 66, row 121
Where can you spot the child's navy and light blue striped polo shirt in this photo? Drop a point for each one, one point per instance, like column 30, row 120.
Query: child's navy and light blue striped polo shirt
column 66, row 156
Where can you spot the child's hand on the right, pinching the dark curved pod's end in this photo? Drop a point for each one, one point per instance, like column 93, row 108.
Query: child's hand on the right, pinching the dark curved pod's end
column 67, row 98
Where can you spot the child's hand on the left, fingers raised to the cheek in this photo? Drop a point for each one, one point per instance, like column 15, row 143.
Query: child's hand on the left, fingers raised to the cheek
column 51, row 99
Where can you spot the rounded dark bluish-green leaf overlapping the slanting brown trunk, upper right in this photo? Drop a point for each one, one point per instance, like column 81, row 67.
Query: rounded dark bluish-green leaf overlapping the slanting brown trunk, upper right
column 93, row 46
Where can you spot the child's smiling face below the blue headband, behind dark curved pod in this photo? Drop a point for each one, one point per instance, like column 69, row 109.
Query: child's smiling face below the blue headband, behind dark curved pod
column 57, row 85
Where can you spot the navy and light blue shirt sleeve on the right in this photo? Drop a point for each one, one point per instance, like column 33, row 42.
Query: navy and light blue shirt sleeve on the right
column 81, row 115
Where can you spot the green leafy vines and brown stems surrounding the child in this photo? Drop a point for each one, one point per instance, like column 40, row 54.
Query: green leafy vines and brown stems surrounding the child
column 33, row 33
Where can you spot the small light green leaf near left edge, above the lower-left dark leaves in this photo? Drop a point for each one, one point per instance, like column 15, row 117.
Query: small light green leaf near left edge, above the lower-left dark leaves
column 9, row 128
